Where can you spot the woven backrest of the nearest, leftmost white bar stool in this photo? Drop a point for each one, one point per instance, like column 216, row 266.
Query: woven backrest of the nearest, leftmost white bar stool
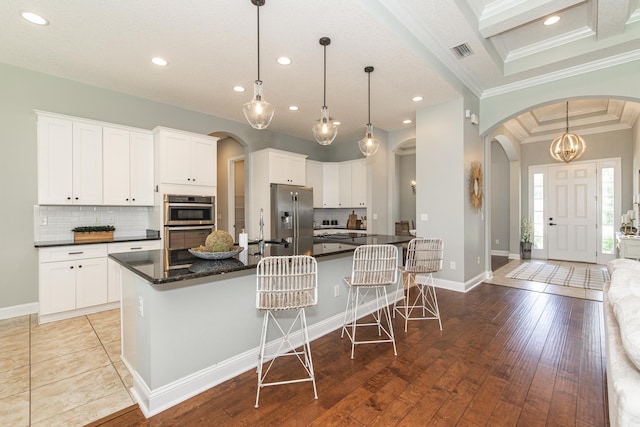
column 286, row 282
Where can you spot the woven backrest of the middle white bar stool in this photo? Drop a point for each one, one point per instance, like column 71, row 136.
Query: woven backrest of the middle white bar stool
column 374, row 265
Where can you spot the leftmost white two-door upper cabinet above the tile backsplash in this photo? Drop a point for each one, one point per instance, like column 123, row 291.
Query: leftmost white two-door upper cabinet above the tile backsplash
column 69, row 161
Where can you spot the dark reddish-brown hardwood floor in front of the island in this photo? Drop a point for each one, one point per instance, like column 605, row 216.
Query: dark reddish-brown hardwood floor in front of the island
column 505, row 357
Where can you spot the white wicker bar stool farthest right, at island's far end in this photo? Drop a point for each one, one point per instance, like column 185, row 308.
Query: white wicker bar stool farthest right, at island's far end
column 424, row 257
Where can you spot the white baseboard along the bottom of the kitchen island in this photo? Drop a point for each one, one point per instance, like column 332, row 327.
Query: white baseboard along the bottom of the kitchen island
column 152, row 402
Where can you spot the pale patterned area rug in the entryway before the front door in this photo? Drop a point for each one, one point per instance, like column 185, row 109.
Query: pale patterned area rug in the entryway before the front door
column 579, row 277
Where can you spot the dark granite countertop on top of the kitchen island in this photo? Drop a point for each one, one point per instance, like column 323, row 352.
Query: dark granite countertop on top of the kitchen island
column 150, row 265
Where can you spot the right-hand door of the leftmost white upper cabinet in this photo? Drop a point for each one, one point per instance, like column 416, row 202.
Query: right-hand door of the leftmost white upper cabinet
column 87, row 164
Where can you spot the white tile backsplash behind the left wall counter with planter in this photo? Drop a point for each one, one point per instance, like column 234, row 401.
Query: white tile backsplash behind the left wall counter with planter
column 54, row 223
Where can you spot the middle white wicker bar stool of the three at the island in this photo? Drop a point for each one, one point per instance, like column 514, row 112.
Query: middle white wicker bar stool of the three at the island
column 374, row 267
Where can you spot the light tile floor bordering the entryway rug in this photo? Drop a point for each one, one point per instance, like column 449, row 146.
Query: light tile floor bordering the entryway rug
column 500, row 279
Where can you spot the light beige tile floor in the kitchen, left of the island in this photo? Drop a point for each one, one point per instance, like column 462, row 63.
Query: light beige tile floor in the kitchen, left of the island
column 63, row 373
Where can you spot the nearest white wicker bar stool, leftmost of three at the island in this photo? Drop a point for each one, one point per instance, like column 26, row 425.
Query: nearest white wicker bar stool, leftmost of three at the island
column 286, row 283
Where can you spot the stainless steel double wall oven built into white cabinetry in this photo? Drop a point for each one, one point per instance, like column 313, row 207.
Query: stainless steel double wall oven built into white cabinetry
column 188, row 220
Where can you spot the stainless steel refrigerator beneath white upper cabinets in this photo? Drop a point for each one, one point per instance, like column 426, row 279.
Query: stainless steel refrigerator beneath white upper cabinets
column 291, row 212
